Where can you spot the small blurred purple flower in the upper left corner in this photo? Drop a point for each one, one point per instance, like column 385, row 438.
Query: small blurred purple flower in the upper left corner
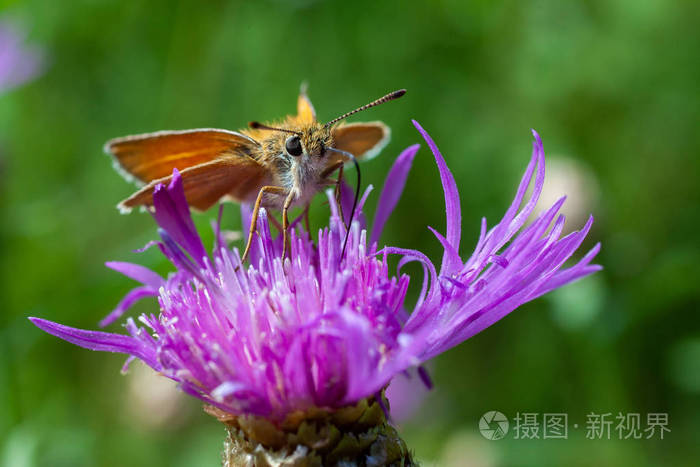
column 18, row 63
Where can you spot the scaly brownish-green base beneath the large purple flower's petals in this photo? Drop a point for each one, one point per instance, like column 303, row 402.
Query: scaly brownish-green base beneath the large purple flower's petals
column 358, row 435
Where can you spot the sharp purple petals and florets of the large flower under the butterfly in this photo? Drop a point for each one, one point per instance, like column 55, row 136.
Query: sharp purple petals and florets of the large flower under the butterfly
column 319, row 329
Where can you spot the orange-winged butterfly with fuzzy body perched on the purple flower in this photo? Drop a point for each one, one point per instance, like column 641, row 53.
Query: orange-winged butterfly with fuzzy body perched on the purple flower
column 278, row 165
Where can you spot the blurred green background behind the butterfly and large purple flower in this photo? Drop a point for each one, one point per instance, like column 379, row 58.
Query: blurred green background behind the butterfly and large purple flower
column 612, row 87
